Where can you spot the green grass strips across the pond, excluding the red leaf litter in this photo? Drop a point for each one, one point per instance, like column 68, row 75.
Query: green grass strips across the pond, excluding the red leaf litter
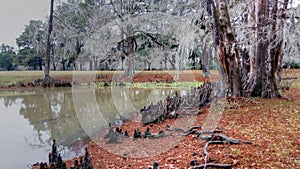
column 10, row 77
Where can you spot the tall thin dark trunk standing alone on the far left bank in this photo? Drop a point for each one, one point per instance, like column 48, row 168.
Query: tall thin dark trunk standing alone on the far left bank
column 47, row 78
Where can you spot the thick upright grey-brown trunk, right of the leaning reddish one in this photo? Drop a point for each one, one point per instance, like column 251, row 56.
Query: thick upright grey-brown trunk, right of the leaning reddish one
column 263, row 82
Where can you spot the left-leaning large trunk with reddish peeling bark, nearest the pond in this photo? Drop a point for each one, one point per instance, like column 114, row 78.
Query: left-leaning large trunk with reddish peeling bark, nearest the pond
column 226, row 48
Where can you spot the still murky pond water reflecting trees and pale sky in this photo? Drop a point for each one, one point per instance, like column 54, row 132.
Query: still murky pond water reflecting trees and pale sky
column 30, row 119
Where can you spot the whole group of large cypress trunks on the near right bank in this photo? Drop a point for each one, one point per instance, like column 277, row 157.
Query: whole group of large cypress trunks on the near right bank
column 261, row 71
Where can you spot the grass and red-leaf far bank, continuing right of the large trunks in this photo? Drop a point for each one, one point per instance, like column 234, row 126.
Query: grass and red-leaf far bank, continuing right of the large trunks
column 12, row 77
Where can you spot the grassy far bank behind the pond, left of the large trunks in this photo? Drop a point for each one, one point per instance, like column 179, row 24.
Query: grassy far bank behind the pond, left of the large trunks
column 12, row 77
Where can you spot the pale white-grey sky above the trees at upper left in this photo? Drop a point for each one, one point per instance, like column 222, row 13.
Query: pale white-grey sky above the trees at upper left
column 15, row 14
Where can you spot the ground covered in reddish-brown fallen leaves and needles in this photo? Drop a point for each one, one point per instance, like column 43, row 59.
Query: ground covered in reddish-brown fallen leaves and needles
column 272, row 125
